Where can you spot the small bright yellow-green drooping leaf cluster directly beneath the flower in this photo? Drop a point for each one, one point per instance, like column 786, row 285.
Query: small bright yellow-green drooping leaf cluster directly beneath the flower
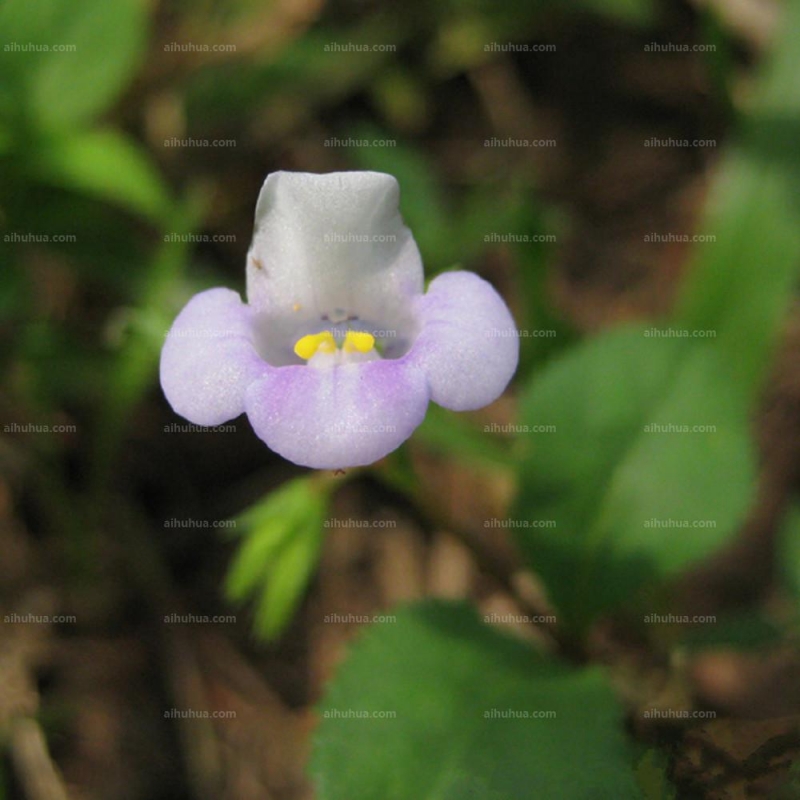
column 281, row 540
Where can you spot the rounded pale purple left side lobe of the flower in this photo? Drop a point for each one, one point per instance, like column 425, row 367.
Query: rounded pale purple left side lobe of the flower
column 208, row 359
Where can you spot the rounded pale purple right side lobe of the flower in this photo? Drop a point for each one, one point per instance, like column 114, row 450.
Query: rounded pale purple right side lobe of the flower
column 468, row 343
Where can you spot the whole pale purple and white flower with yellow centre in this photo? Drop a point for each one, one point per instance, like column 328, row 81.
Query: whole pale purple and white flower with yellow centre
column 338, row 350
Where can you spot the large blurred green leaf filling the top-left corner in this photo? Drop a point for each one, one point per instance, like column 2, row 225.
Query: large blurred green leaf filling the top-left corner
column 62, row 63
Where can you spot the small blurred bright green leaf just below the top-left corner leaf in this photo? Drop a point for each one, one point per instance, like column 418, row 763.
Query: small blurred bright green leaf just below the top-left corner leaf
column 107, row 165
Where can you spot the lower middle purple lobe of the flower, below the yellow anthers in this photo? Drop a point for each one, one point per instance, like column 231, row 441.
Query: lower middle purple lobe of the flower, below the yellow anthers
column 349, row 415
